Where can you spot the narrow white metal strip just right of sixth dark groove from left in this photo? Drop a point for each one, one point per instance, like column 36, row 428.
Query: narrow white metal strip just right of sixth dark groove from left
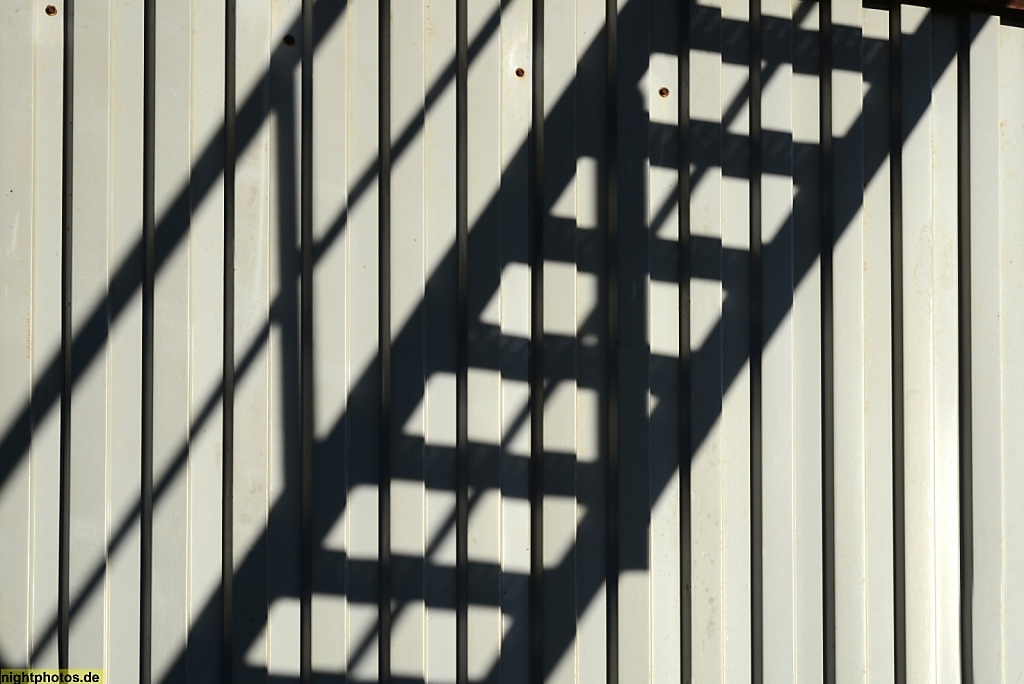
column 484, row 391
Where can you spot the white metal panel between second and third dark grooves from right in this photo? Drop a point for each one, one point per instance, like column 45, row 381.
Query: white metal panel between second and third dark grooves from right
column 865, row 639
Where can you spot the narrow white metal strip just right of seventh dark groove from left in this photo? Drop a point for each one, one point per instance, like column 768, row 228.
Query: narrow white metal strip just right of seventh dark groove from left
column 561, row 511
